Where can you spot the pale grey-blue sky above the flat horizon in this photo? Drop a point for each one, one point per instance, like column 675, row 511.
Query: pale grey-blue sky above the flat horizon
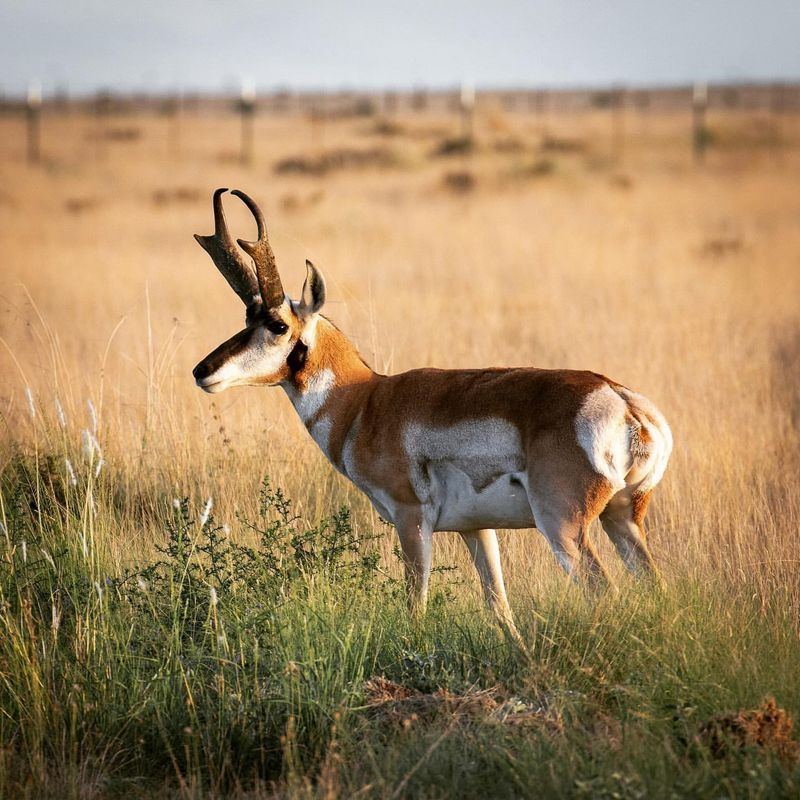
column 215, row 44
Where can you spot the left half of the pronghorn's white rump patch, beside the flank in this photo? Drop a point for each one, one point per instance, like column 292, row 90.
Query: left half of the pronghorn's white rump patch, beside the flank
column 604, row 434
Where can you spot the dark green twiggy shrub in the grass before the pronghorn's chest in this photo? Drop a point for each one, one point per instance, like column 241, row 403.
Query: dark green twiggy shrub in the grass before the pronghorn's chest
column 201, row 565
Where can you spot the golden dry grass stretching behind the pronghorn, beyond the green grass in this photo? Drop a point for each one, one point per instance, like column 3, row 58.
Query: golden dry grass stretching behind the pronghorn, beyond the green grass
column 113, row 301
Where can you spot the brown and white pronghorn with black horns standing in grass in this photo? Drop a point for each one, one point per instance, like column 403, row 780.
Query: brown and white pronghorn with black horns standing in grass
column 447, row 450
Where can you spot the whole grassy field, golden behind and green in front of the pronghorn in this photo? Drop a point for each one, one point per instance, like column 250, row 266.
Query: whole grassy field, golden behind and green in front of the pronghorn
column 536, row 248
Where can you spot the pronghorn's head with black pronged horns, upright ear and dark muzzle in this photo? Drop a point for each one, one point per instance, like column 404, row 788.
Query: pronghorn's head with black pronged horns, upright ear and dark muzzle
column 278, row 331
